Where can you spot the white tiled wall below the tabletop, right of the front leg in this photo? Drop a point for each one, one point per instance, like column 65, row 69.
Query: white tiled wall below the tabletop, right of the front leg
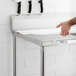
column 64, row 62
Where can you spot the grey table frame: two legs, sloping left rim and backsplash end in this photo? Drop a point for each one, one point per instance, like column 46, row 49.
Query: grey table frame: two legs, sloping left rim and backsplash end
column 42, row 57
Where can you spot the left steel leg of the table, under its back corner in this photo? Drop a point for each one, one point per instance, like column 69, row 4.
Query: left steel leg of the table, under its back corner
column 14, row 56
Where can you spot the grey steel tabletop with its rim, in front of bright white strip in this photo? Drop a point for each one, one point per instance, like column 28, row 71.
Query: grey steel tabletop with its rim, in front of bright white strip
column 45, row 40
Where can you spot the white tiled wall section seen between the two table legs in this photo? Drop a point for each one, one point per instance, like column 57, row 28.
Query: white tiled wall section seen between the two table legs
column 28, row 58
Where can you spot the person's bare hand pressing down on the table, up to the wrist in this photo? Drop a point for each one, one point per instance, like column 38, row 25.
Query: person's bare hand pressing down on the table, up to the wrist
column 65, row 28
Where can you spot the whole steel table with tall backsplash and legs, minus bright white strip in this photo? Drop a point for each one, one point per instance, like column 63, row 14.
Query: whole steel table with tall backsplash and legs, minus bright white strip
column 27, row 22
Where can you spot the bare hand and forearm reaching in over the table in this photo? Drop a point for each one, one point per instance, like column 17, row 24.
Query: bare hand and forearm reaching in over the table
column 66, row 26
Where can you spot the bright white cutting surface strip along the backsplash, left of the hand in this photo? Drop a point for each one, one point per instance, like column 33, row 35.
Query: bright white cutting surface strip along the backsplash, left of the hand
column 40, row 31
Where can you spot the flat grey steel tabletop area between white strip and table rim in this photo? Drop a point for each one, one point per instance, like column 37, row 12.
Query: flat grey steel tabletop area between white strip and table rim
column 50, row 37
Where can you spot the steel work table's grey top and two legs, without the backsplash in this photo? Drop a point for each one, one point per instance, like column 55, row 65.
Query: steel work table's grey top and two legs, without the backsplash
column 42, row 41
